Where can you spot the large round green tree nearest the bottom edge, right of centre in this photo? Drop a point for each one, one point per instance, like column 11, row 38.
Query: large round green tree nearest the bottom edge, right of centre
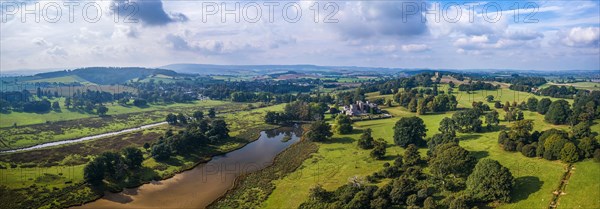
column 490, row 181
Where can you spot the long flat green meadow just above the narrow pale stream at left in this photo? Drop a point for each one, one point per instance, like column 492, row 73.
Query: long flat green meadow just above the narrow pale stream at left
column 121, row 118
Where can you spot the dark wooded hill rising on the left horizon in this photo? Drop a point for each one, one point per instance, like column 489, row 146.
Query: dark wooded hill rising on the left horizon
column 105, row 75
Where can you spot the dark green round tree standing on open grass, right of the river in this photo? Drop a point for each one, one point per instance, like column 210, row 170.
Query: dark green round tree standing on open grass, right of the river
column 409, row 130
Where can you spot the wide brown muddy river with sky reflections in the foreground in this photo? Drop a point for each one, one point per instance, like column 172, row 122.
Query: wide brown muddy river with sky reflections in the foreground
column 203, row 184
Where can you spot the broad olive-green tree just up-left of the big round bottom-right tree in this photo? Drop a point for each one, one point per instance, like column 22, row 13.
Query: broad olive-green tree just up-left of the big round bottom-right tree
column 452, row 159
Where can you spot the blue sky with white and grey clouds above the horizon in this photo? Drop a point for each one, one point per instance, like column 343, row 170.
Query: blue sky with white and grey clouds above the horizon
column 527, row 35
